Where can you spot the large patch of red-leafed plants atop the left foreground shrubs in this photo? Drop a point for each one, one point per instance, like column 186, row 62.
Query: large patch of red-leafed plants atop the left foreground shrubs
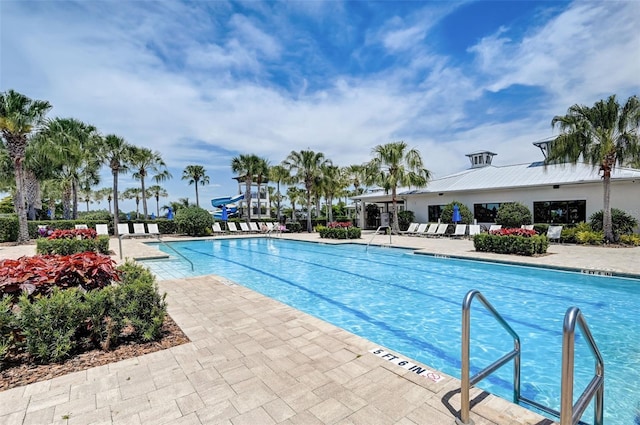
column 39, row 274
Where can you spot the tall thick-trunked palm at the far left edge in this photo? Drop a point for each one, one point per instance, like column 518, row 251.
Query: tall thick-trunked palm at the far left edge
column 19, row 117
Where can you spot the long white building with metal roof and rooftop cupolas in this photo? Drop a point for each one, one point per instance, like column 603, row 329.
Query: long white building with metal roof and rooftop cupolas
column 555, row 193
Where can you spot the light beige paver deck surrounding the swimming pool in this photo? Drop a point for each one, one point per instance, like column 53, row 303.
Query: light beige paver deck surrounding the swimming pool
column 253, row 360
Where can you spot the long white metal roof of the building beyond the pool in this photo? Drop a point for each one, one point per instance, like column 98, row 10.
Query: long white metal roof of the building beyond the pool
column 513, row 176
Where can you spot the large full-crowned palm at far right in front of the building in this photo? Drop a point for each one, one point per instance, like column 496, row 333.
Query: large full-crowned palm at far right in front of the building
column 603, row 136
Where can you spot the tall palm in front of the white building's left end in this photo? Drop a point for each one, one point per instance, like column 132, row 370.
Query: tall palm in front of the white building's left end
column 395, row 165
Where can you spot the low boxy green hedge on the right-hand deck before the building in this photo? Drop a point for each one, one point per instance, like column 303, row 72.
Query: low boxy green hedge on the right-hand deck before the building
column 518, row 245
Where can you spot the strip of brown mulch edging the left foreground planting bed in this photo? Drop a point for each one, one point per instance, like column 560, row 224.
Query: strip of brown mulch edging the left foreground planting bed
column 18, row 371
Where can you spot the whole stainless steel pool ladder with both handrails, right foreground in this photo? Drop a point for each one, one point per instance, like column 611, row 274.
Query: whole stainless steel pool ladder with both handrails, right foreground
column 569, row 413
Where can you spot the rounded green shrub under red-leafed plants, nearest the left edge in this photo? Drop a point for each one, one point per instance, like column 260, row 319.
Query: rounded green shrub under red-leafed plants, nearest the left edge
column 49, row 324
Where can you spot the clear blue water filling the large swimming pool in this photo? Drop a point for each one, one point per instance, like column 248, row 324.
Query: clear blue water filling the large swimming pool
column 412, row 305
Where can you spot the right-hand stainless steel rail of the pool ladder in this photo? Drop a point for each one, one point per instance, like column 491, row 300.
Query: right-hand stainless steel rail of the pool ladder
column 571, row 413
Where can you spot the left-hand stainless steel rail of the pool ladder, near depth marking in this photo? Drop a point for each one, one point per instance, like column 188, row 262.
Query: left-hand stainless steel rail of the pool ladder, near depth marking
column 467, row 381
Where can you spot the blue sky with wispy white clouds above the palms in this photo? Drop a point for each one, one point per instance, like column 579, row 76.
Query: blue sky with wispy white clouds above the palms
column 203, row 81
